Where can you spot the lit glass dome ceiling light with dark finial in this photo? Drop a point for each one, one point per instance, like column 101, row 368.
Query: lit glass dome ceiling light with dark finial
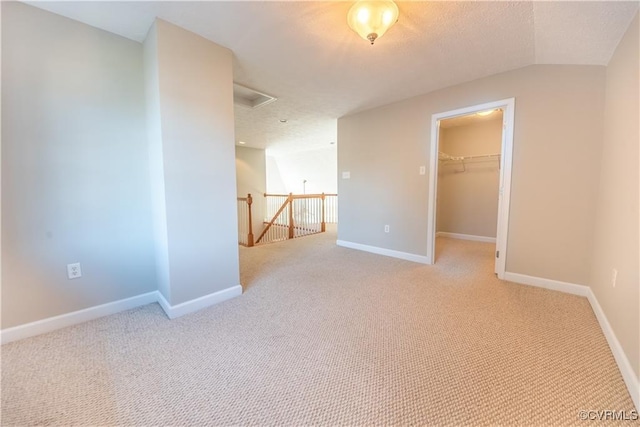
column 372, row 18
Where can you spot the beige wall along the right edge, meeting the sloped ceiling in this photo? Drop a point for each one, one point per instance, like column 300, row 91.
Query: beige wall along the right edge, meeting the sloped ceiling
column 616, row 226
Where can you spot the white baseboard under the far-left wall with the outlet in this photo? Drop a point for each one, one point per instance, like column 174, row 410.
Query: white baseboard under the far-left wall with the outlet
column 62, row 321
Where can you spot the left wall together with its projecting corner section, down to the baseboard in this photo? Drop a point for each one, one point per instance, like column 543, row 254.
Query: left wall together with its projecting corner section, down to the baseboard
column 77, row 185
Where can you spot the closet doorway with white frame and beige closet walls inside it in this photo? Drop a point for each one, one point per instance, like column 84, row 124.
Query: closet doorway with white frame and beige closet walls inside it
column 457, row 167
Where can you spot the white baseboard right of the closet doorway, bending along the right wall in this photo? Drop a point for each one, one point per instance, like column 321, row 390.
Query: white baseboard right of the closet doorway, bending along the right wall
column 627, row 372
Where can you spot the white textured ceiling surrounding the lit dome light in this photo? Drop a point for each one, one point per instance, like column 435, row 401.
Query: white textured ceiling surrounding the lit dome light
column 304, row 53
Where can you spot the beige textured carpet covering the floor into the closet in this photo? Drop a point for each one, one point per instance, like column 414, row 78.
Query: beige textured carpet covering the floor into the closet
column 331, row 336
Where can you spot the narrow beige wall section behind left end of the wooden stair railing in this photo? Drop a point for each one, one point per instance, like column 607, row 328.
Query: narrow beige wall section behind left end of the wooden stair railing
column 251, row 179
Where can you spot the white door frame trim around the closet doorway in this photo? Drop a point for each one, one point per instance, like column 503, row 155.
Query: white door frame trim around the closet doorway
column 508, row 107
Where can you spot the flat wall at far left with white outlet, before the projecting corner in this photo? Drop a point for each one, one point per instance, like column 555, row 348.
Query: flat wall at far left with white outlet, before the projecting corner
column 74, row 167
